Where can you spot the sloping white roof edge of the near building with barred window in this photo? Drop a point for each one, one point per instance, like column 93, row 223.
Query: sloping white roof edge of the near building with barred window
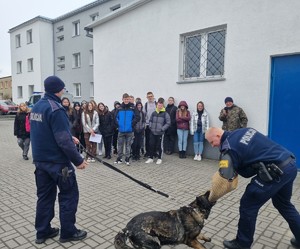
column 127, row 8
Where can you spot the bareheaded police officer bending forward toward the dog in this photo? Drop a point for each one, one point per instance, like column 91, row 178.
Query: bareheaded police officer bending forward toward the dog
column 273, row 169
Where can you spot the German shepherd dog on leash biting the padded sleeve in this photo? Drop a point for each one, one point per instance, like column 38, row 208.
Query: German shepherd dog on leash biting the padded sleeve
column 154, row 229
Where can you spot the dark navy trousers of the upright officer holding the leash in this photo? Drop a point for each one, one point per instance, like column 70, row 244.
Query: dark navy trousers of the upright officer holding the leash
column 48, row 177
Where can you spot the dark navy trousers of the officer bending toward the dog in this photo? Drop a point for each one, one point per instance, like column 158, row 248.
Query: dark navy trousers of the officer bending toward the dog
column 258, row 193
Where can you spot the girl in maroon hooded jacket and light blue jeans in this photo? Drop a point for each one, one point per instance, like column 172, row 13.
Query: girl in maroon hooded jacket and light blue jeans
column 183, row 118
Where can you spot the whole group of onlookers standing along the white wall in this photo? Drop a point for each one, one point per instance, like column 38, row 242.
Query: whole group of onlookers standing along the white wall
column 133, row 129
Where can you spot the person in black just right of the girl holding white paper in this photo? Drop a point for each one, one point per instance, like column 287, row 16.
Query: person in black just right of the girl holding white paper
column 106, row 128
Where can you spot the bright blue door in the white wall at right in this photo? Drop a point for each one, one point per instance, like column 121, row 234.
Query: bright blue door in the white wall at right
column 284, row 117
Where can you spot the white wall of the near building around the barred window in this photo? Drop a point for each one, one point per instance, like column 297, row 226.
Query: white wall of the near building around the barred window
column 139, row 52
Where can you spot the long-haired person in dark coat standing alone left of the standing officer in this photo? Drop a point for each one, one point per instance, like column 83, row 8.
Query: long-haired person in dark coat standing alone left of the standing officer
column 20, row 132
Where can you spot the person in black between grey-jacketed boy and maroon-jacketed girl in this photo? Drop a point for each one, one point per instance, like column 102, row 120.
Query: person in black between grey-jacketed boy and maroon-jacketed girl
column 171, row 132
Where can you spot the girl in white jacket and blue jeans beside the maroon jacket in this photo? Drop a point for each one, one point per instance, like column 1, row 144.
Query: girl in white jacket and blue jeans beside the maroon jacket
column 199, row 124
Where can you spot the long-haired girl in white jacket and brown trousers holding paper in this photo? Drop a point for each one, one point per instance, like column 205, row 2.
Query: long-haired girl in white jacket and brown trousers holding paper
column 90, row 123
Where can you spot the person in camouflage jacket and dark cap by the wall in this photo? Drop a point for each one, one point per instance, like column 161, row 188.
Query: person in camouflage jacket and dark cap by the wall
column 232, row 116
